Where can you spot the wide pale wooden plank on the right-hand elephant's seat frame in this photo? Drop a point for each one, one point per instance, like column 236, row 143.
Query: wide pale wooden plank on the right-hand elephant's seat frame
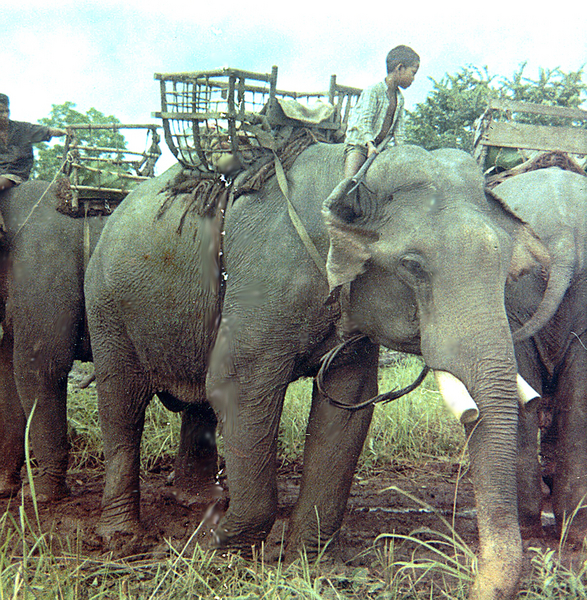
column 536, row 137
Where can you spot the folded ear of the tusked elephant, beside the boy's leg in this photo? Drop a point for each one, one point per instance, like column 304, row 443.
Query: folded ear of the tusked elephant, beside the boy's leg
column 349, row 221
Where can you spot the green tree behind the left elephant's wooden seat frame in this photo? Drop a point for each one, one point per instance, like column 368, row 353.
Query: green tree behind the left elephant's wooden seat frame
column 50, row 157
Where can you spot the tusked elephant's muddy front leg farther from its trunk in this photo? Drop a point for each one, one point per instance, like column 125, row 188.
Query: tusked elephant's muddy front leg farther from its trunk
column 249, row 405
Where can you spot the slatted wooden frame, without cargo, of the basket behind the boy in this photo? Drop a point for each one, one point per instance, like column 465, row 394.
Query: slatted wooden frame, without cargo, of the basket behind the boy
column 235, row 101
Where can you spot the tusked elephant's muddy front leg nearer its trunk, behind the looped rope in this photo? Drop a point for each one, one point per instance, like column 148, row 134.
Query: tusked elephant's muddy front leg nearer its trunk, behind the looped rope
column 334, row 441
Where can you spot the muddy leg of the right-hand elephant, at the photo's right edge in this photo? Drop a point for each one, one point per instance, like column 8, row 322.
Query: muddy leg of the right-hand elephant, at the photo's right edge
column 569, row 489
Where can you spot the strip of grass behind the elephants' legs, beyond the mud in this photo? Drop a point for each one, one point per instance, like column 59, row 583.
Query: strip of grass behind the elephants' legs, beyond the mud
column 415, row 427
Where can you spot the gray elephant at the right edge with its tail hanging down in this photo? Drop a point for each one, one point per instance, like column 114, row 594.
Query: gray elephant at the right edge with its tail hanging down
column 549, row 319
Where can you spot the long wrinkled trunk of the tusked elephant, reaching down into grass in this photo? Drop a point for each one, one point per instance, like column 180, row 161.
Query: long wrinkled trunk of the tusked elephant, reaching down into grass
column 478, row 350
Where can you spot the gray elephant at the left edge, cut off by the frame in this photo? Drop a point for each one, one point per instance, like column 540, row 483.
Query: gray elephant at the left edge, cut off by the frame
column 43, row 324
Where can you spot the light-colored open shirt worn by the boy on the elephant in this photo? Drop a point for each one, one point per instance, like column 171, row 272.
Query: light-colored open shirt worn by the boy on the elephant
column 366, row 119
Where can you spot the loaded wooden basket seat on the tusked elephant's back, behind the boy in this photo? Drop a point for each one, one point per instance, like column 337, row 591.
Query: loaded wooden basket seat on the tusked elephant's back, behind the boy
column 224, row 120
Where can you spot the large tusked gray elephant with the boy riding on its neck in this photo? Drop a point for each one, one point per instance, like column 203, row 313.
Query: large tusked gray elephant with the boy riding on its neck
column 417, row 260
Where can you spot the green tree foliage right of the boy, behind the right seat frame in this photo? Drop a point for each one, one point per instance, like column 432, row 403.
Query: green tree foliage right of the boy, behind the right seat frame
column 448, row 116
